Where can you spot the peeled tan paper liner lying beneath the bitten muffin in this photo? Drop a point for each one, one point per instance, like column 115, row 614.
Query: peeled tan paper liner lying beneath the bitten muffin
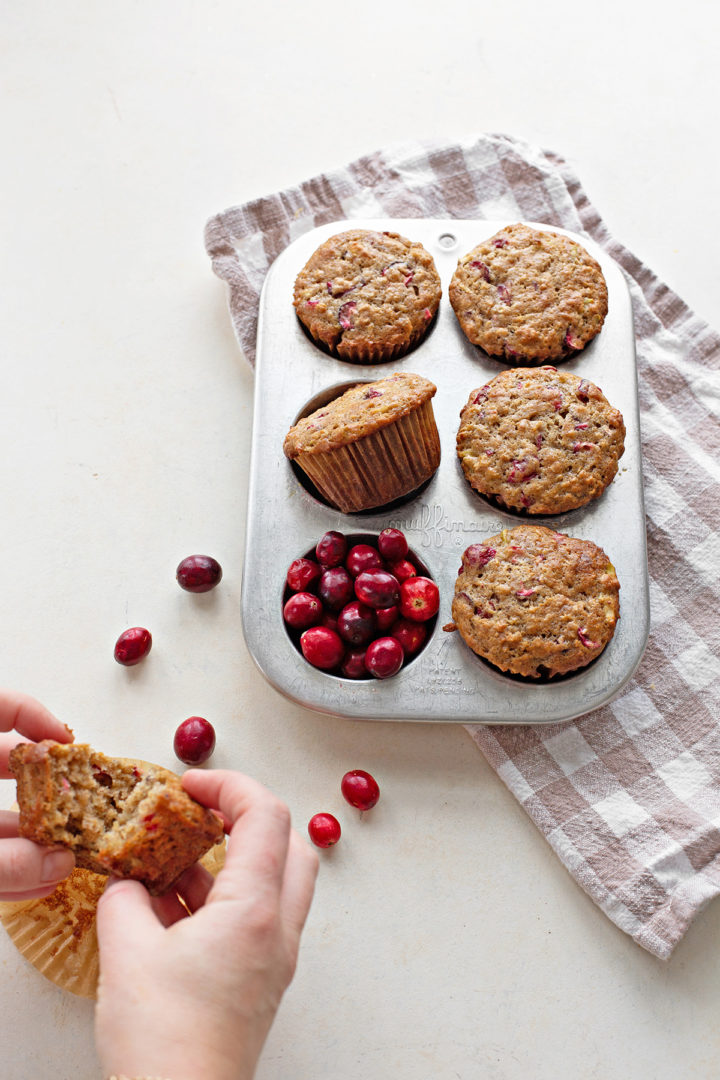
column 58, row 934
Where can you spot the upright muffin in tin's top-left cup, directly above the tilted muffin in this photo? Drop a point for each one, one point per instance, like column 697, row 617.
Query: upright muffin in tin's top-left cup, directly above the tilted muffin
column 368, row 296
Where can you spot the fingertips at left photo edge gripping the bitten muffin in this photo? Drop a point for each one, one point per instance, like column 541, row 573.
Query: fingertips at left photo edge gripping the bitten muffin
column 28, row 871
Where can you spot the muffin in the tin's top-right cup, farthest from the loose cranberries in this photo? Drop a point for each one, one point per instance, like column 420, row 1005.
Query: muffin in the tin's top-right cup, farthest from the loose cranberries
column 528, row 295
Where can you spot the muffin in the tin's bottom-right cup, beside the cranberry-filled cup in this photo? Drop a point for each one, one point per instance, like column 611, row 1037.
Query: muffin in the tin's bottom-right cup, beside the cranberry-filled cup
column 536, row 603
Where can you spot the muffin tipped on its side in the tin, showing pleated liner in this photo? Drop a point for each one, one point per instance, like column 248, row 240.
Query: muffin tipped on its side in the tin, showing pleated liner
column 375, row 443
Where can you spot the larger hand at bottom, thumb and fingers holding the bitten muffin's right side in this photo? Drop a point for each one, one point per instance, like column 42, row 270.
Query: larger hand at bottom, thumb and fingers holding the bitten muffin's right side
column 188, row 997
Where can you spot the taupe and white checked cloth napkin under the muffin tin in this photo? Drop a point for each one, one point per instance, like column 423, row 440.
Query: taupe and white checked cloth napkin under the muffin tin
column 628, row 796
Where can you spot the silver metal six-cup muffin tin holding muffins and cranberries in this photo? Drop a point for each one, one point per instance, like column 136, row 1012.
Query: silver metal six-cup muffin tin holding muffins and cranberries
column 446, row 682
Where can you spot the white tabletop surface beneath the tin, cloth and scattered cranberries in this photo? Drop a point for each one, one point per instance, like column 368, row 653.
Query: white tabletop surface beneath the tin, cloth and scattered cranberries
column 446, row 940
